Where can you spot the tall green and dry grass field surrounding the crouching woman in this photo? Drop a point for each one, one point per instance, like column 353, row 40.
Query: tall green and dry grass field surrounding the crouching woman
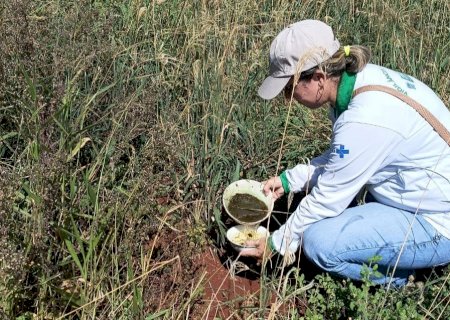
column 122, row 121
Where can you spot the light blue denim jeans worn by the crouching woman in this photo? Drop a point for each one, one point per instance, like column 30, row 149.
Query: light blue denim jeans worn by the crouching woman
column 341, row 245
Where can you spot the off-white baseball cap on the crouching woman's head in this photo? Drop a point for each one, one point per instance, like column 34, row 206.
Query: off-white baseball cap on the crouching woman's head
column 310, row 41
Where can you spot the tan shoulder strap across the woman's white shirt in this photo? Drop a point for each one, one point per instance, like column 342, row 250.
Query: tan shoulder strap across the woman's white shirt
column 427, row 115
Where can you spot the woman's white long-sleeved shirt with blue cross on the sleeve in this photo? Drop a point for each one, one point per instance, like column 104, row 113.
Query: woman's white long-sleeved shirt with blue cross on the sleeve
column 384, row 144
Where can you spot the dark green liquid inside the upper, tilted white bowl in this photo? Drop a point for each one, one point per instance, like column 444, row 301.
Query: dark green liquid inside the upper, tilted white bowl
column 247, row 208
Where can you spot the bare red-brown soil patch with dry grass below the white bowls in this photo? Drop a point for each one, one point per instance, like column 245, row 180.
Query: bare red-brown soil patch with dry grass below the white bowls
column 204, row 281
